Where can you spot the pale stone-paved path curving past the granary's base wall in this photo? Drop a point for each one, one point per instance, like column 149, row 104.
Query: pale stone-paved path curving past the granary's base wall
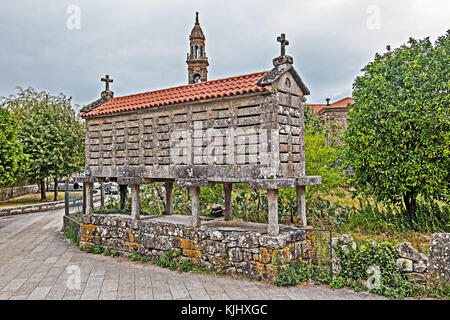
column 38, row 262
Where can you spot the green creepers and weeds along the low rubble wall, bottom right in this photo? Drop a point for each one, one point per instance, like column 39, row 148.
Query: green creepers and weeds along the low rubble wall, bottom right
column 393, row 284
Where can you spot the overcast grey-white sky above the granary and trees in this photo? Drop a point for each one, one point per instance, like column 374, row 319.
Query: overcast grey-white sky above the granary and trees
column 143, row 44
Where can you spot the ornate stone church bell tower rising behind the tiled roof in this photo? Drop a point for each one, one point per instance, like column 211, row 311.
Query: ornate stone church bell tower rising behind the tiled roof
column 196, row 59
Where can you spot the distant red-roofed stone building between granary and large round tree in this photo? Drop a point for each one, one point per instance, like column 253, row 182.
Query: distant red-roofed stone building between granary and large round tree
column 334, row 115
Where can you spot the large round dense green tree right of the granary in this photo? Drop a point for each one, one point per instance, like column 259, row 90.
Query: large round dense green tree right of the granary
column 398, row 129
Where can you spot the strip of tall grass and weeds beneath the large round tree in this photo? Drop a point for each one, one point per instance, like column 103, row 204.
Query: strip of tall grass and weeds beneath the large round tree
column 366, row 219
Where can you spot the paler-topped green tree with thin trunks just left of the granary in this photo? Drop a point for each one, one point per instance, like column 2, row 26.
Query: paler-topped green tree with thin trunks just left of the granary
column 51, row 133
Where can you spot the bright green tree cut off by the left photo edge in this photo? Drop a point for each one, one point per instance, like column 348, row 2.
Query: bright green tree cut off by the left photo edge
column 13, row 162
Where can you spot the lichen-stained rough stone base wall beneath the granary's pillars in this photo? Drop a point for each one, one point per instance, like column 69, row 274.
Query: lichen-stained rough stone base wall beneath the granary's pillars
column 246, row 253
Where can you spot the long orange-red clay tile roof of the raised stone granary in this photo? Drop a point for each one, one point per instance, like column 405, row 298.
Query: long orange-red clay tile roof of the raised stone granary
column 192, row 92
